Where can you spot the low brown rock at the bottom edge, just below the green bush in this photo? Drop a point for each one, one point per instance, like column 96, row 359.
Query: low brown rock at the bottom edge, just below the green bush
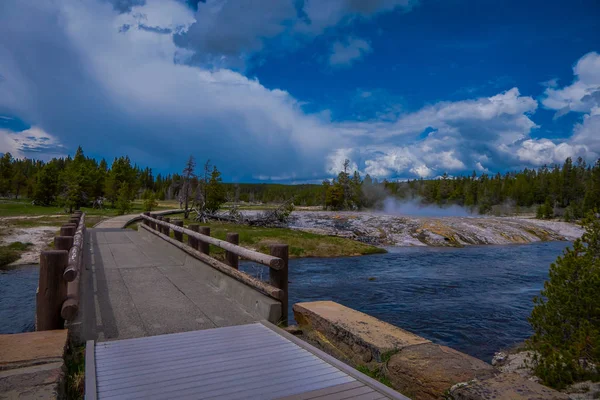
column 505, row 386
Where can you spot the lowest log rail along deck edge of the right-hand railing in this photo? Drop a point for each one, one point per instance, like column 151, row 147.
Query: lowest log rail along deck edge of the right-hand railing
column 262, row 287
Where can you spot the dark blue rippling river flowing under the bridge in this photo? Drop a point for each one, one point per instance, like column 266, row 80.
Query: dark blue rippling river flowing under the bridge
column 474, row 299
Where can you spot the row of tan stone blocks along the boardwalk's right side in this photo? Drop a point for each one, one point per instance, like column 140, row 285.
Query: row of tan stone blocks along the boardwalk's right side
column 415, row 366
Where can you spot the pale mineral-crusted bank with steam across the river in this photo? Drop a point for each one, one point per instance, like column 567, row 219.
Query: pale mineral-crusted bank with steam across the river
column 395, row 230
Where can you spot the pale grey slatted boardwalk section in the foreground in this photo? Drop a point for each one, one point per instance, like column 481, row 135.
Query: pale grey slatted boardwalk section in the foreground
column 255, row 361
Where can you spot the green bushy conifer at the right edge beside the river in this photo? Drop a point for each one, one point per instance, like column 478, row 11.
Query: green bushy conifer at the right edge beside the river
column 566, row 318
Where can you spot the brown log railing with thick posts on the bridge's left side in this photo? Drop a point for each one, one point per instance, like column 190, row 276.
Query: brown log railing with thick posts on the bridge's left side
column 57, row 298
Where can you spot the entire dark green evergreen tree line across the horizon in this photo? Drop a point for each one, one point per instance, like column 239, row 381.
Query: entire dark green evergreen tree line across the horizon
column 568, row 190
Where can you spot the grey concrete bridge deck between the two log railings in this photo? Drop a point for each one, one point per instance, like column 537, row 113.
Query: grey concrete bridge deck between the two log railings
column 137, row 286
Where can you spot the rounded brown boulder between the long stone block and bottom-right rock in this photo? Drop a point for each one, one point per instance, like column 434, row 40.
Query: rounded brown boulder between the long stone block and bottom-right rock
column 427, row 371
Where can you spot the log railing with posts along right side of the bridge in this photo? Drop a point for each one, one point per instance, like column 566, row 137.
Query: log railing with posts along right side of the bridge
column 198, row 245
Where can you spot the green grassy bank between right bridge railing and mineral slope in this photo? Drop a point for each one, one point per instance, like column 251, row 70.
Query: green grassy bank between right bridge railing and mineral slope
column 301, row 244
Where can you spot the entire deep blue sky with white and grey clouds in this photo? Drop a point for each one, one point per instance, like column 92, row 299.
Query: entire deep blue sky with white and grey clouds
column 285, row 90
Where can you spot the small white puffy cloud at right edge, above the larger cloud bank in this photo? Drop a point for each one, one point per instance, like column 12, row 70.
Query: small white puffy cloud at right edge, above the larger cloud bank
column 583, row 94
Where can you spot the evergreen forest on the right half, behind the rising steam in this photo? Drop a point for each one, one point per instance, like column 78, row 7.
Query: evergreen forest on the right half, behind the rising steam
column 569, row 190
